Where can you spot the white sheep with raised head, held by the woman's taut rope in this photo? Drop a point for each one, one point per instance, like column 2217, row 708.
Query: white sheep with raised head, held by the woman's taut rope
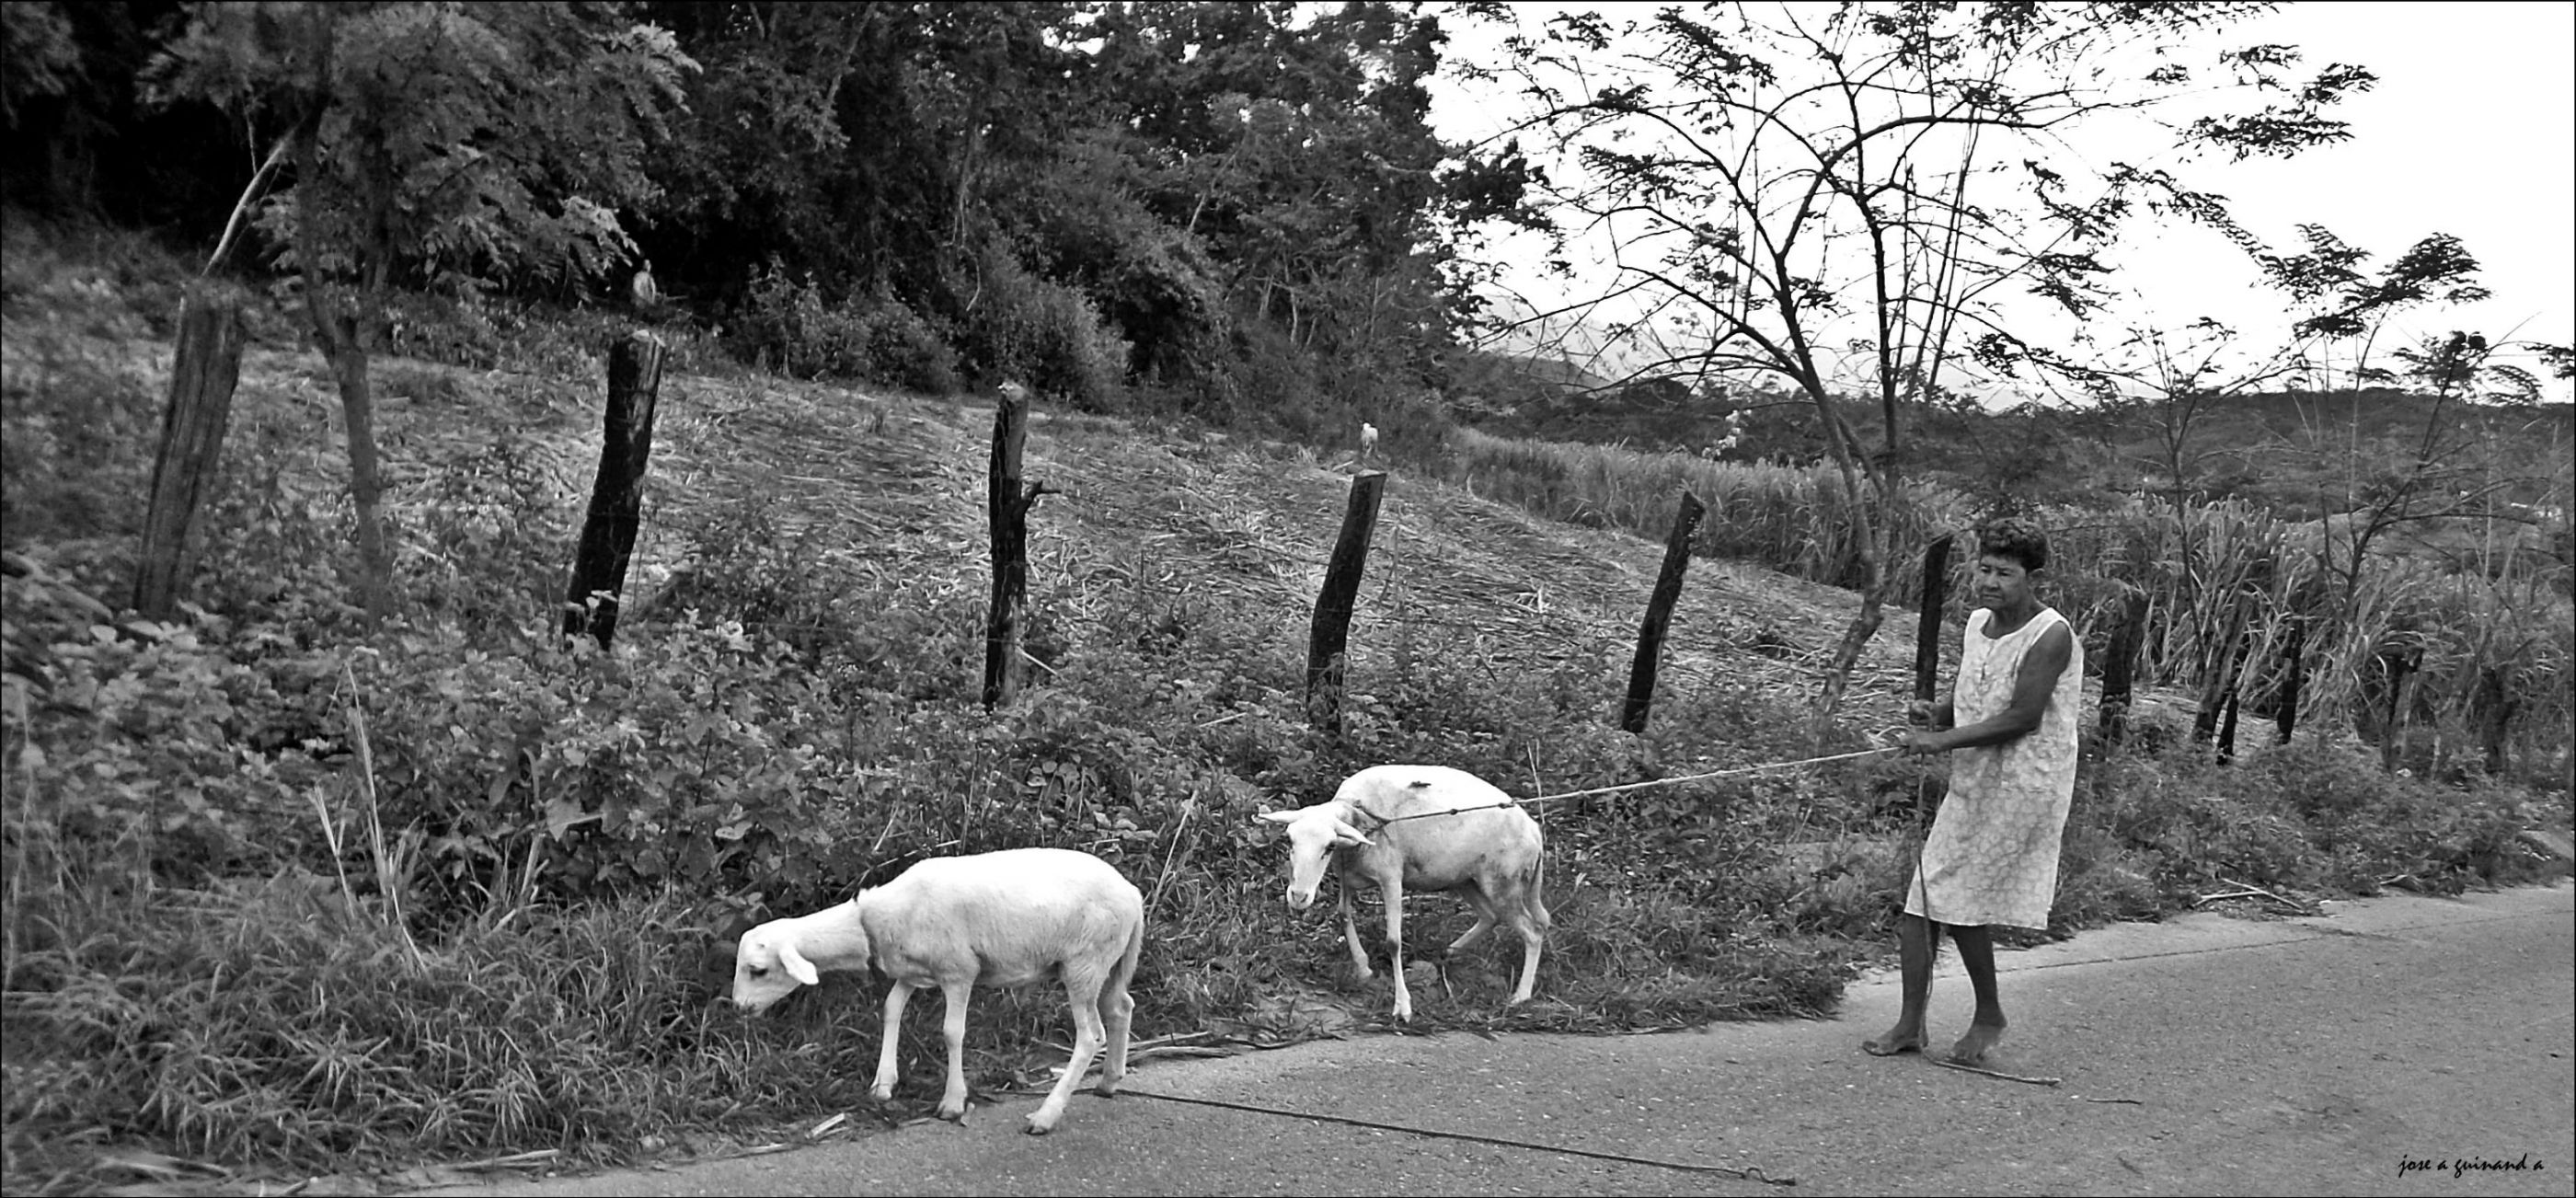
column 1490, row 854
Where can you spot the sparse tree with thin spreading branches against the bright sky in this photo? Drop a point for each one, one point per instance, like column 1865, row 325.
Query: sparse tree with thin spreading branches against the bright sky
column 1884, row 189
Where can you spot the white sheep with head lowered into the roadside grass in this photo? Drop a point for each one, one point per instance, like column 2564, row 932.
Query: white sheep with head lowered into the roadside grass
column 996, row 918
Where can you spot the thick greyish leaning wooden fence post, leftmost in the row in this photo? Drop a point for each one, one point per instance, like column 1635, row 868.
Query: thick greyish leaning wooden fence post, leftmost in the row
column 192, row 447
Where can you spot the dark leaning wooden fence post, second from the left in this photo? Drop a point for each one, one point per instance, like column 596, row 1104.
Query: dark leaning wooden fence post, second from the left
column 617, row 496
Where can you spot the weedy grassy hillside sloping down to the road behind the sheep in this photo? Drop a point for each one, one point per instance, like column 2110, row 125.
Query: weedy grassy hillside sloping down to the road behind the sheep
column 292, row 895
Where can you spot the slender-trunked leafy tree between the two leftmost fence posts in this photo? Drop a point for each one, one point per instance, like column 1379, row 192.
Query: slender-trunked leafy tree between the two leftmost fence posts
column 431, row 146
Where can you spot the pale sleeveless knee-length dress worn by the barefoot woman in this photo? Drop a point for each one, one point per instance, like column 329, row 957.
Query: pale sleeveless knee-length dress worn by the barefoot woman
column 1993, row 854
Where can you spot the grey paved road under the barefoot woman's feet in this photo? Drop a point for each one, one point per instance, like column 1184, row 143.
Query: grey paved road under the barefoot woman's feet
column 2204, row 1055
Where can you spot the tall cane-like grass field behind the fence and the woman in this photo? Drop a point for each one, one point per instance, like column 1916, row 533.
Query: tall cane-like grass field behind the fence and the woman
column 2227, row 586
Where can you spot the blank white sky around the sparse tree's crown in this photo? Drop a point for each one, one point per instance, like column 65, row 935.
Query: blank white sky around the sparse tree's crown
column 2472, row 130
